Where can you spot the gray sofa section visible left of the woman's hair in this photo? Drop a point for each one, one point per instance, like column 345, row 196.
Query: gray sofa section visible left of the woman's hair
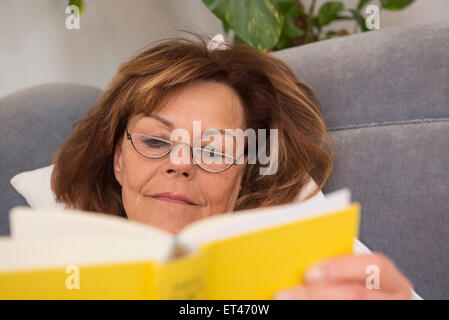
column 34, row 123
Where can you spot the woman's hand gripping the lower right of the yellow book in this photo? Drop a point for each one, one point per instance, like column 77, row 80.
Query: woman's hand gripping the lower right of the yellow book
column 345, row 277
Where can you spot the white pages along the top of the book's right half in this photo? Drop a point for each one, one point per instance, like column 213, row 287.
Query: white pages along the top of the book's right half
column 245, row 221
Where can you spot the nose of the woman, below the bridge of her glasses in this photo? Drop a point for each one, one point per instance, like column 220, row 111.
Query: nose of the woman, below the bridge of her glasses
column 179, row 163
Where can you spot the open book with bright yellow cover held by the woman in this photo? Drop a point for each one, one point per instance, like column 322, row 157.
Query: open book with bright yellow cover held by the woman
column 247, row 254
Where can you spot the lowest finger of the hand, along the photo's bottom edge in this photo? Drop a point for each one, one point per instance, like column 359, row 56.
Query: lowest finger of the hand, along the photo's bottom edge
column 340, row 291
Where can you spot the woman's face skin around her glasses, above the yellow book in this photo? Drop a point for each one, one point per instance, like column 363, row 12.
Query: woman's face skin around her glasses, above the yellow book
column 143, row 179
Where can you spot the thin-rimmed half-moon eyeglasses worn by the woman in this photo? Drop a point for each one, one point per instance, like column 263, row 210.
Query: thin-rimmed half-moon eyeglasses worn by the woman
column 207, row 158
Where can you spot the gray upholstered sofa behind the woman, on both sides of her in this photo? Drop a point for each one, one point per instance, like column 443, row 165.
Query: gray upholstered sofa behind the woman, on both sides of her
column 385, row 97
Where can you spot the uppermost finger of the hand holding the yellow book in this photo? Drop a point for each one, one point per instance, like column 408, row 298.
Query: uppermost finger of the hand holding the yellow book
column 358, row 268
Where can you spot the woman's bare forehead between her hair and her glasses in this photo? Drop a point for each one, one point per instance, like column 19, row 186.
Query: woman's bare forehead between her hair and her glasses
column 215, row 104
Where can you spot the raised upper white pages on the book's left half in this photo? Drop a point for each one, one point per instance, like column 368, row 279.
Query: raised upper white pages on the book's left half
column 27, row 223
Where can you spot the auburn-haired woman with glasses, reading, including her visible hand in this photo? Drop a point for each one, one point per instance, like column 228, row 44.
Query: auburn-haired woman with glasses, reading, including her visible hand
column 119, row 159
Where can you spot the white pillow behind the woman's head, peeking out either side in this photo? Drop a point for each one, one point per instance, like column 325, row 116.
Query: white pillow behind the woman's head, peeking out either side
column 35, row 187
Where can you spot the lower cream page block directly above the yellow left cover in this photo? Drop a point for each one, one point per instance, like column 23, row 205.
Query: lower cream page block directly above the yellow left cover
column 46, row 253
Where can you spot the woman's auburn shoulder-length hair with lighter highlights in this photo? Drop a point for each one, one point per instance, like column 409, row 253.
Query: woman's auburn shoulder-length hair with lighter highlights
column 272, row 98
